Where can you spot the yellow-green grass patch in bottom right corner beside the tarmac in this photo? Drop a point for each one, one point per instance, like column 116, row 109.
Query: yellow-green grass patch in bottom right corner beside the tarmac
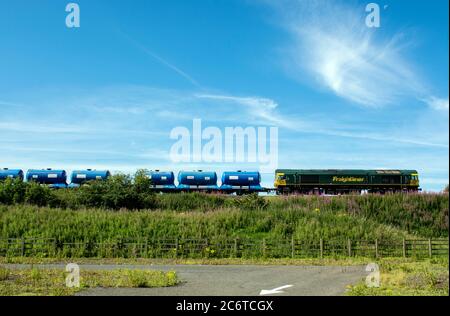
column 408, row 278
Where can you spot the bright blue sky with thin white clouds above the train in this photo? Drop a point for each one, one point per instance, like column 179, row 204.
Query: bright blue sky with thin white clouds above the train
column 108, row 94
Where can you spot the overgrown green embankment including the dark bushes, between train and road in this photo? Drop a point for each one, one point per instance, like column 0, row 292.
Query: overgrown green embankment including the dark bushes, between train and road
column 111, row 213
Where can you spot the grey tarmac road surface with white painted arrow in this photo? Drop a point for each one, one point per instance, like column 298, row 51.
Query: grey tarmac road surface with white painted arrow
column 236, row 280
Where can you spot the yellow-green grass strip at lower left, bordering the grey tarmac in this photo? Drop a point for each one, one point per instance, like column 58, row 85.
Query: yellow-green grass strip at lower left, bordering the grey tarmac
column 51, row 282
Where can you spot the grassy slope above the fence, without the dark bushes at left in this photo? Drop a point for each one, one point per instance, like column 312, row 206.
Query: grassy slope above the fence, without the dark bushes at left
column 204, row 216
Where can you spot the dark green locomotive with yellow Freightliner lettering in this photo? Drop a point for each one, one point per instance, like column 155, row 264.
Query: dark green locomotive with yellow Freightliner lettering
column 345, row 181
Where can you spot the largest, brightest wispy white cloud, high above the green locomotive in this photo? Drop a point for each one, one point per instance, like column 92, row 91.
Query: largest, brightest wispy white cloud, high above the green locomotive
column 338, row 51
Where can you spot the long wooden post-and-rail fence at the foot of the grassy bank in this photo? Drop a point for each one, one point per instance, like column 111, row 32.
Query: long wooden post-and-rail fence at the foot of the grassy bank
column 225, row 248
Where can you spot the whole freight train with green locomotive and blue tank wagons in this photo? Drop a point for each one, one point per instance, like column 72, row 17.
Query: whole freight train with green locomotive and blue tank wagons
column 287, row 181
